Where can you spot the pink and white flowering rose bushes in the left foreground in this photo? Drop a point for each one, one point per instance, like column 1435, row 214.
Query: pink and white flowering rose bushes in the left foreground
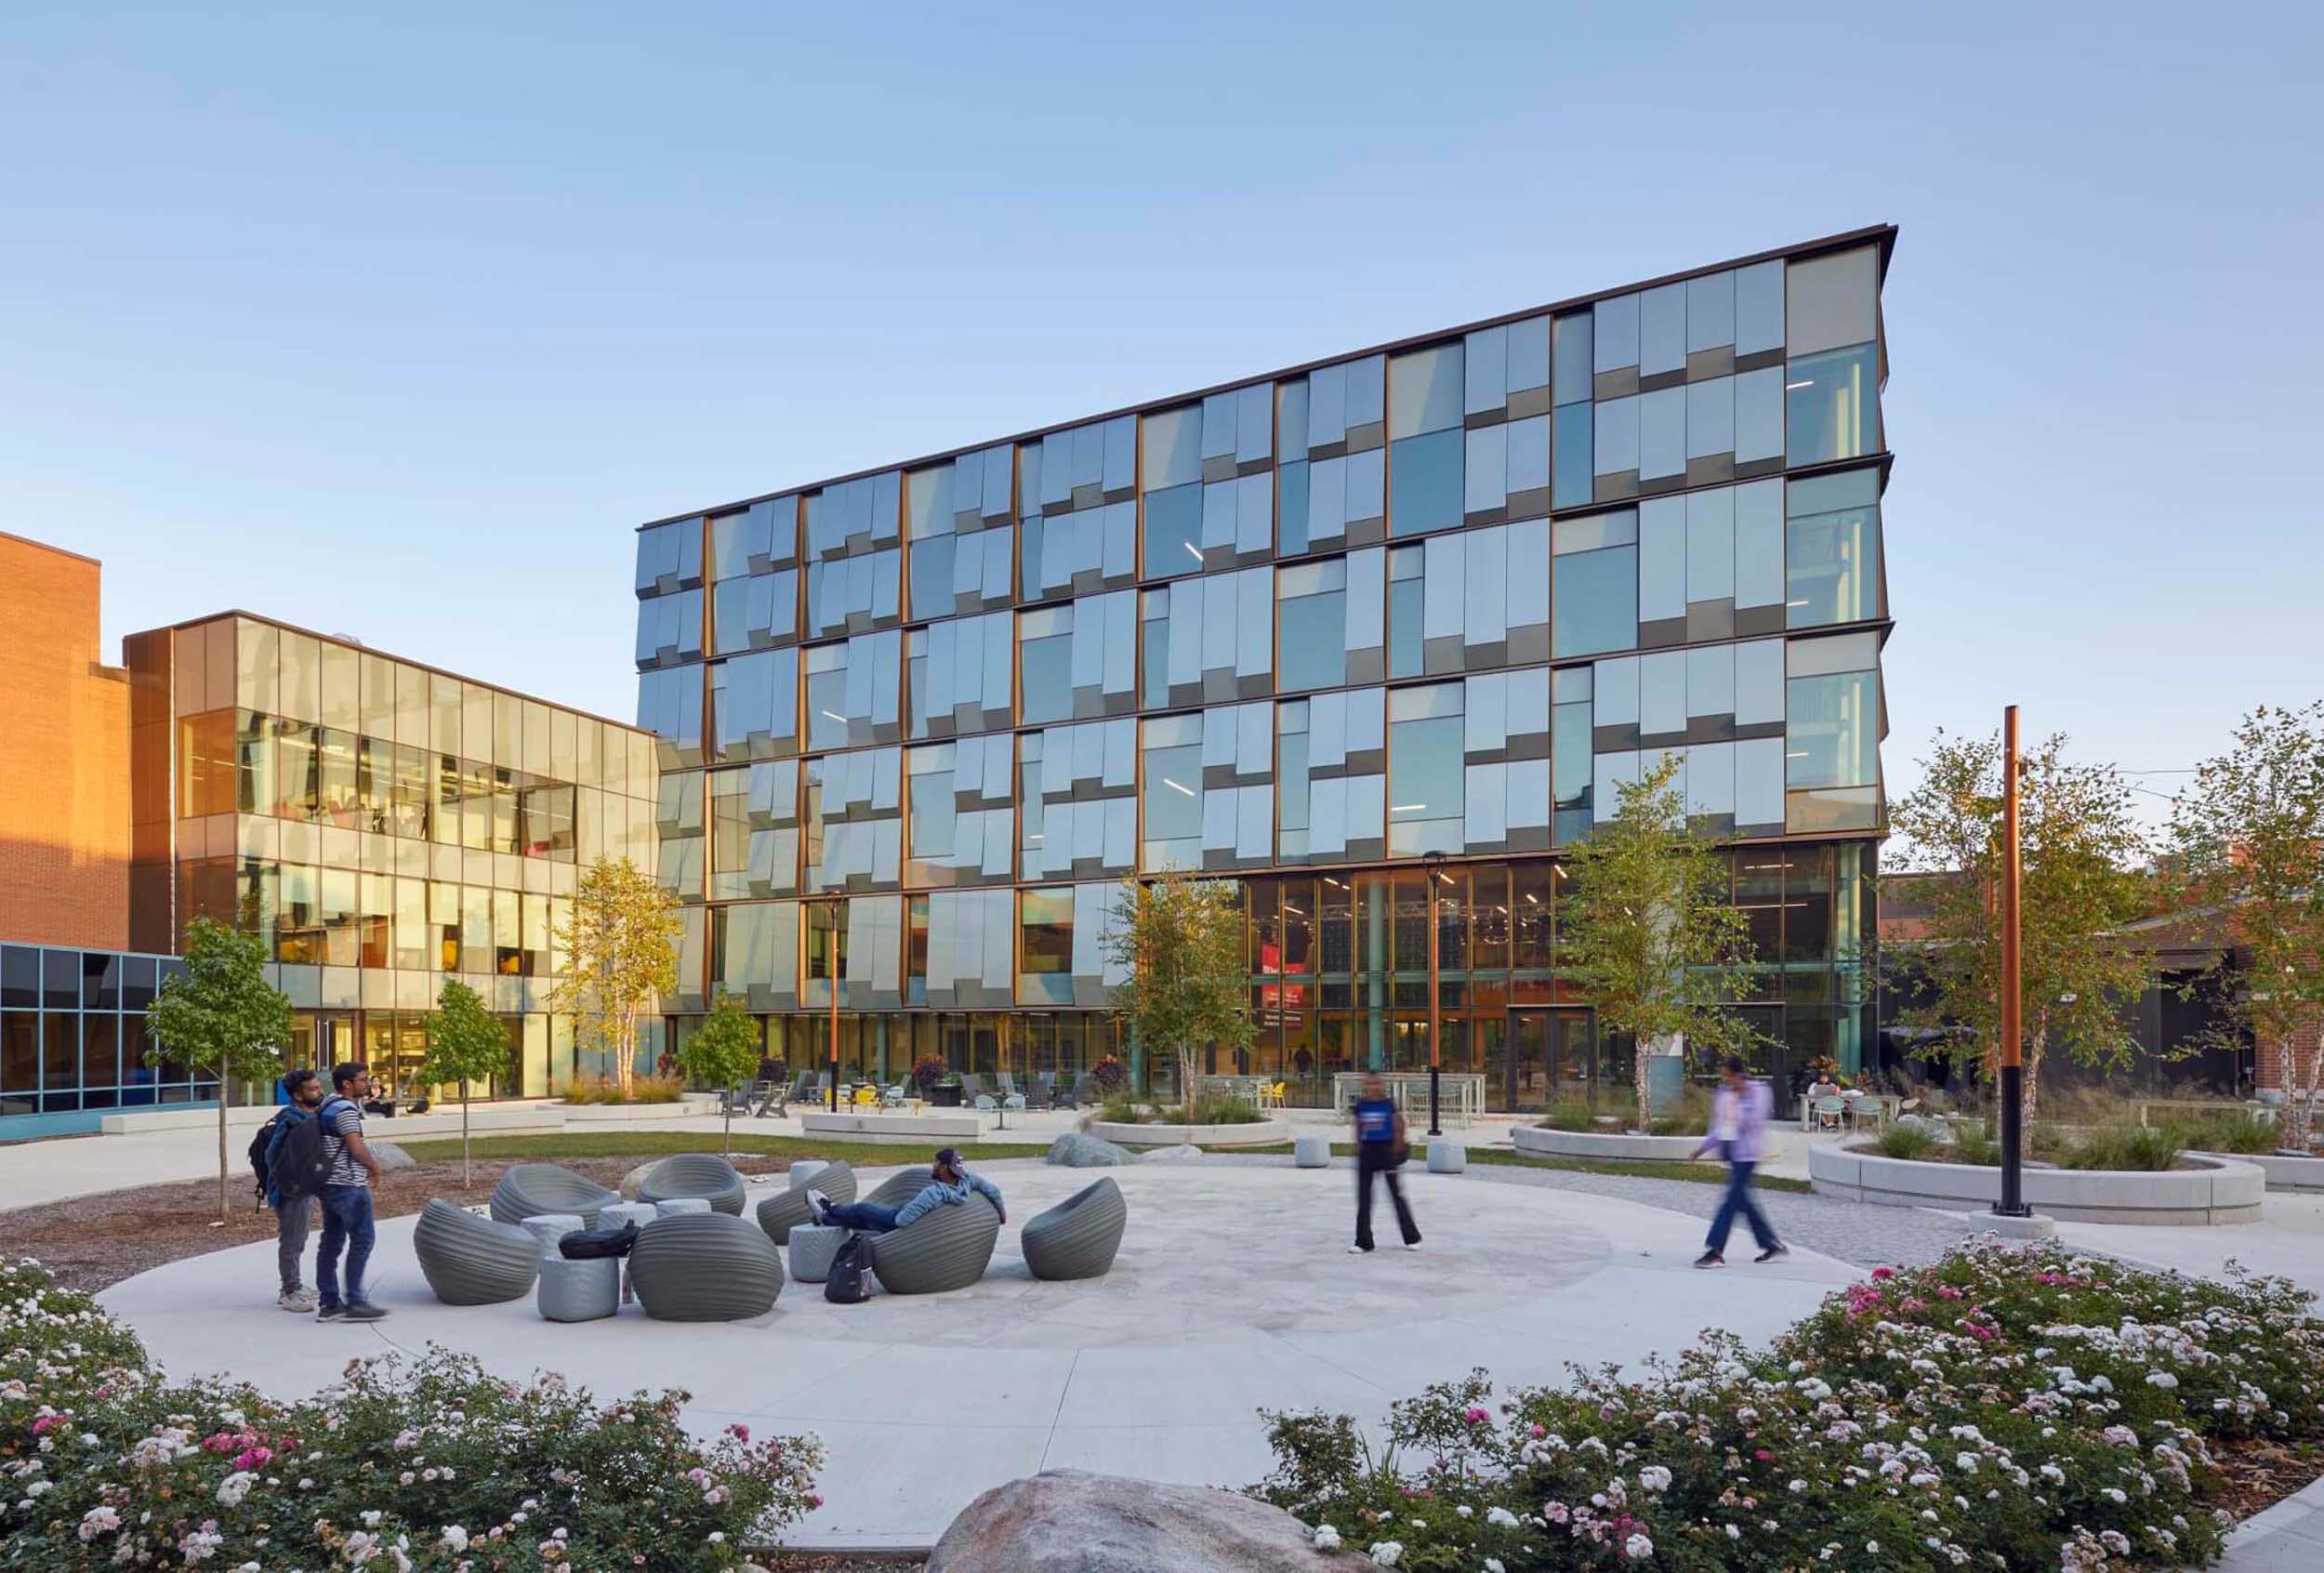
column 401, row 1465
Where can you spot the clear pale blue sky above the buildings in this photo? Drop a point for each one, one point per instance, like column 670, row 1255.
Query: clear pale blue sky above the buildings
column 399, row 324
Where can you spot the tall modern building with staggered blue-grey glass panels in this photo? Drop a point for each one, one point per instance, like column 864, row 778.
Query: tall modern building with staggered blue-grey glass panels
column 1372, row 638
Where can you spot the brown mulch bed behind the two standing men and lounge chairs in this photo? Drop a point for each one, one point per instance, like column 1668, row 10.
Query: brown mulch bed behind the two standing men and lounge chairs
column 96, row 1242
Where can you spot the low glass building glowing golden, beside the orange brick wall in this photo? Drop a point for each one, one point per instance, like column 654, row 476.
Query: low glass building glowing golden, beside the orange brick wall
column 385, row 826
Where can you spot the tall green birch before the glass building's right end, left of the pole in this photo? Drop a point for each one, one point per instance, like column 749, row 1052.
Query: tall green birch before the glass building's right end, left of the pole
column 1649, row 928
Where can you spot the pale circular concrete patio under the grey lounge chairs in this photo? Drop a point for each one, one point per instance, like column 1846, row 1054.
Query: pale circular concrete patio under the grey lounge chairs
column 1233, row 1293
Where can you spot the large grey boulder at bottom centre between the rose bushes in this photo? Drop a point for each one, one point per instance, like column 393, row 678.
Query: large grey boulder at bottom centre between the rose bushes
column 1068, row 1521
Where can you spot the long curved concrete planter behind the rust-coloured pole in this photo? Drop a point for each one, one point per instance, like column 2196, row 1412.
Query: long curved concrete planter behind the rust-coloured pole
column 2214, row 1191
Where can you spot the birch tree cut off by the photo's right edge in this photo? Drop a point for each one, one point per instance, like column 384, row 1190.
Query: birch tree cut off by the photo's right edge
column 2248, row 852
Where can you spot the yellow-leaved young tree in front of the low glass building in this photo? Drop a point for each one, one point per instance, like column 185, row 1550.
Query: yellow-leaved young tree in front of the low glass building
column 622, row 954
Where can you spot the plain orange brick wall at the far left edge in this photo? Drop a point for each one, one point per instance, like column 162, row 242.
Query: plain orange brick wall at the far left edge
column 64, row 756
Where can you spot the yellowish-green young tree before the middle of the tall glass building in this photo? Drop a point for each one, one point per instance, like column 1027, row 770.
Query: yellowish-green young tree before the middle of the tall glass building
column 1182, row 942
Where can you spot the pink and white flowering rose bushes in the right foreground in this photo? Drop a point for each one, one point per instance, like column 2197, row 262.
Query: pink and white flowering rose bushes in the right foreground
column 2009, row 1407
